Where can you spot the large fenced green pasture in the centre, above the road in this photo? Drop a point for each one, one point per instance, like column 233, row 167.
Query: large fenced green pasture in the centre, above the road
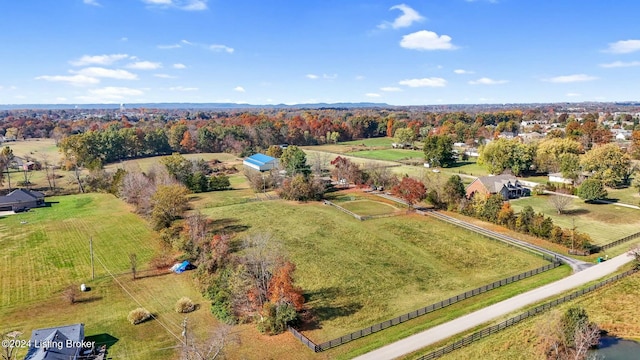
column 355, row 273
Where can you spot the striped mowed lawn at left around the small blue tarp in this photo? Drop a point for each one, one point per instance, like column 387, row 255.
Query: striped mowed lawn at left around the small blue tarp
column 50, row 251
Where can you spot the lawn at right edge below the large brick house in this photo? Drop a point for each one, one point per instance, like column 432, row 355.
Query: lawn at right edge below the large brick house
column 603, row 222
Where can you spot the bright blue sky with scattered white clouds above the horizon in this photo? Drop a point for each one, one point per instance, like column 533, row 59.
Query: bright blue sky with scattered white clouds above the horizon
column 270, row 52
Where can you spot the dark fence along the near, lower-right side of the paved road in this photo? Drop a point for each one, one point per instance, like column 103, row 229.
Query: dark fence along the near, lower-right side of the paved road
column 467, row 340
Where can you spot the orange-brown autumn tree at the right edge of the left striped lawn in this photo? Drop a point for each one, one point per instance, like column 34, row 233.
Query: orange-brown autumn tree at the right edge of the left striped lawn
column 169, row 203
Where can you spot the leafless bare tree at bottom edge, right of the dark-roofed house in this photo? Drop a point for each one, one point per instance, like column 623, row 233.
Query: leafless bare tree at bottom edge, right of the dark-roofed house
column 212, row 347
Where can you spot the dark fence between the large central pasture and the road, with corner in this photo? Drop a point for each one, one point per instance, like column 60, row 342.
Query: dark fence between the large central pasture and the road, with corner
column 422, row 311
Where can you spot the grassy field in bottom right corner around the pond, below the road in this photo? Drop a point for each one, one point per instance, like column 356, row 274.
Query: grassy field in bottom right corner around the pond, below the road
column 613, row 308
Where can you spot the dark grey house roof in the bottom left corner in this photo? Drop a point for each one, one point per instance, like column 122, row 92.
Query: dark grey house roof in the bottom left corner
column 45, row 343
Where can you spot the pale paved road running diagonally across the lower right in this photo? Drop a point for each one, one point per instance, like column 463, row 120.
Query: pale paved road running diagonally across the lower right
column 477, row 318
